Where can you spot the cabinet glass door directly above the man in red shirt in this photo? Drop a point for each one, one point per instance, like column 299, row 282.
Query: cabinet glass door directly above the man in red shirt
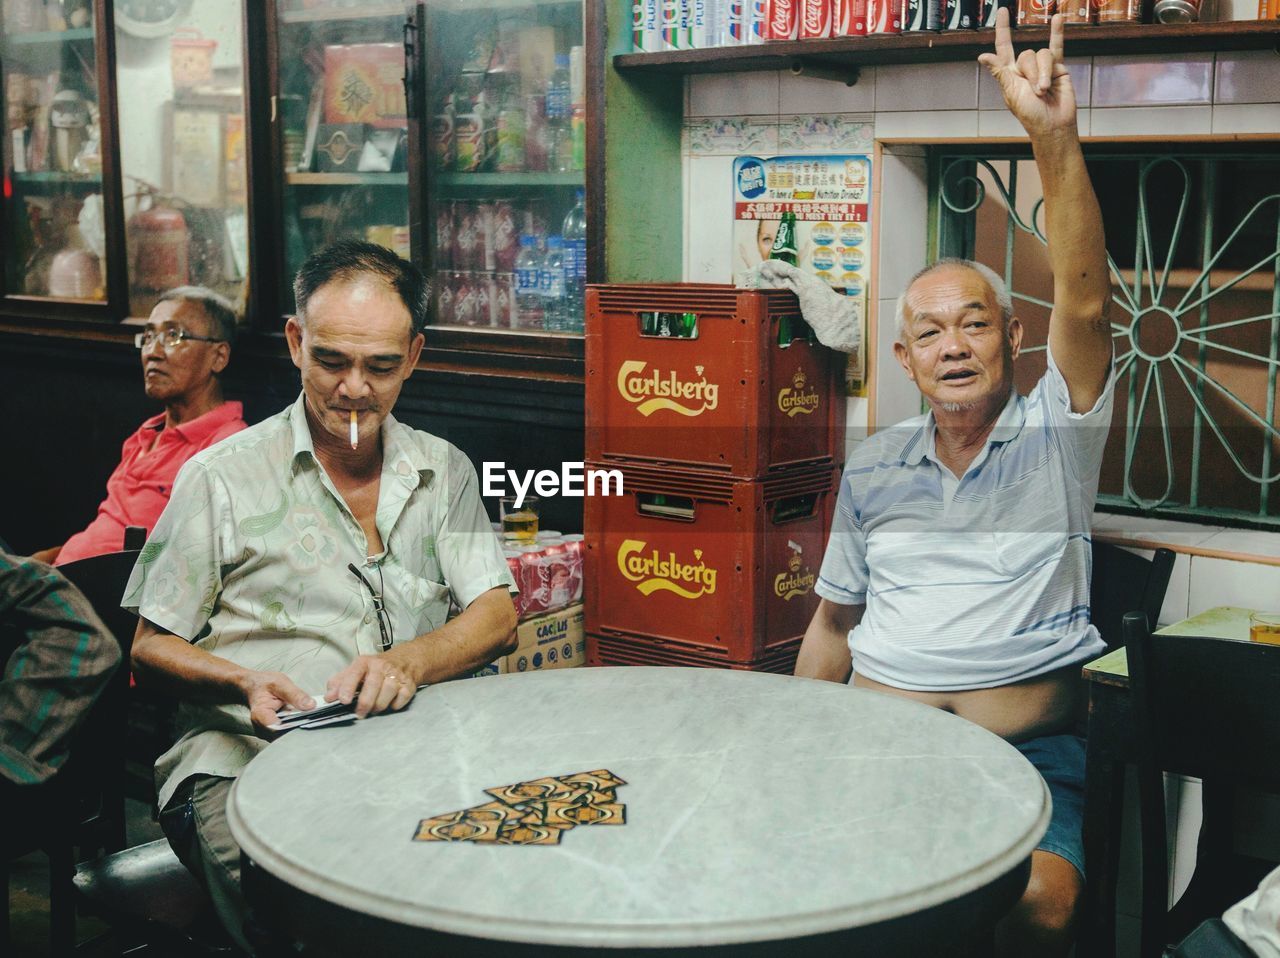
column 180, row 77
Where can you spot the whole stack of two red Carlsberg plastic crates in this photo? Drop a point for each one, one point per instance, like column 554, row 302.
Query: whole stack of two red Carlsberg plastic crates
column 726, row 422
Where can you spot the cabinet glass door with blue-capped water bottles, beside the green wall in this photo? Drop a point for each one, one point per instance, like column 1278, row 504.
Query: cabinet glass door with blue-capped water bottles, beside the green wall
column 508, row 113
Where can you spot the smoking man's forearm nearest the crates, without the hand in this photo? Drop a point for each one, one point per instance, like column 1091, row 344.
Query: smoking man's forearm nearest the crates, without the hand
column 482, row 633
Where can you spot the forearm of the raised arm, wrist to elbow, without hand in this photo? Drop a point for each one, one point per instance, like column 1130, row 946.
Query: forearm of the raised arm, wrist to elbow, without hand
column 1073, row 226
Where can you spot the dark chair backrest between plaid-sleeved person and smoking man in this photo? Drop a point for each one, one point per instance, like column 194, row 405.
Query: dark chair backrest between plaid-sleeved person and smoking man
column 99, row 750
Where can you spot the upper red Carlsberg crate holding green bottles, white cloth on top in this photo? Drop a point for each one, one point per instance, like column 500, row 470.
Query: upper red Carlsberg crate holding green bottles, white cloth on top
column 710, row 378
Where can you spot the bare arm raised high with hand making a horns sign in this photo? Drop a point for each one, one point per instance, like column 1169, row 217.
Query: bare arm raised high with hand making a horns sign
column 1037, row 90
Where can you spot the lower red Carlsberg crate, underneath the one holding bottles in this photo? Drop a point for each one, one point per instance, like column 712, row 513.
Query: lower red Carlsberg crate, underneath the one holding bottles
column 712, row 565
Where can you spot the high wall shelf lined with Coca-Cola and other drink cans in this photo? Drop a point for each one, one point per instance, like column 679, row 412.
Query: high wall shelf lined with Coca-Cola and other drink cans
column 843, row 37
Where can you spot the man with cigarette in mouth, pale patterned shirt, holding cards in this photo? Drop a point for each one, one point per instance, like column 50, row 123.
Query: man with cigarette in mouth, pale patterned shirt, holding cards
column 313, row 558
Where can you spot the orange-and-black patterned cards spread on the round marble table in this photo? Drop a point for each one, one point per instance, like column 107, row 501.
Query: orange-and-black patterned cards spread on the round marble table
column 533, row 813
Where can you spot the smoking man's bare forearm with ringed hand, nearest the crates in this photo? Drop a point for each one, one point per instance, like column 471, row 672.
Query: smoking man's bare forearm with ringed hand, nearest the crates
column 484, row 631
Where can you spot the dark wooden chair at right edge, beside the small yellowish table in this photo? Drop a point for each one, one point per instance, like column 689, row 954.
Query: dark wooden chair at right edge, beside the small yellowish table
column 1210, row 709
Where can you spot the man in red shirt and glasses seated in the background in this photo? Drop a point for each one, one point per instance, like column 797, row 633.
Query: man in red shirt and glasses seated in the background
column 185, row 349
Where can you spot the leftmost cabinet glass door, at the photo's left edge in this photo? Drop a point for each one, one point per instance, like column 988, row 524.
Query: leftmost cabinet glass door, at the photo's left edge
column 53, row 213
